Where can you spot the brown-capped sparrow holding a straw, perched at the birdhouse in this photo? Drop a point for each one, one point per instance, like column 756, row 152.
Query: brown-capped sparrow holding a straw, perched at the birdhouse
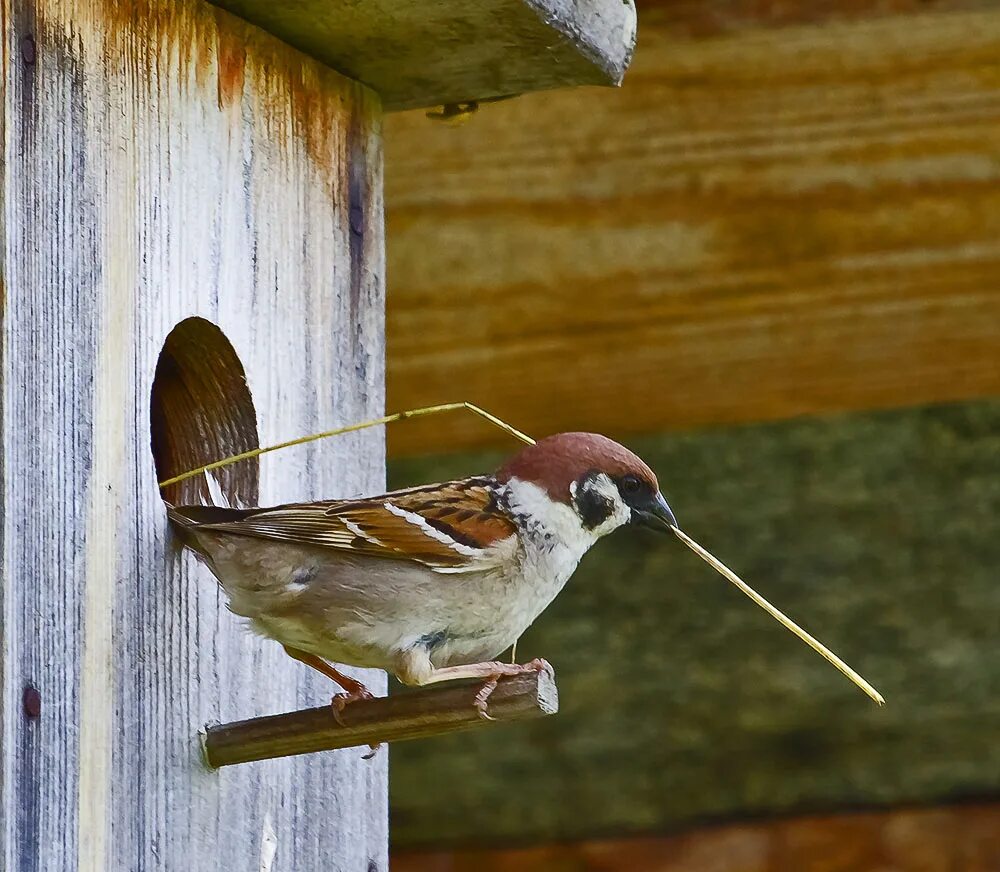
column 430, row 583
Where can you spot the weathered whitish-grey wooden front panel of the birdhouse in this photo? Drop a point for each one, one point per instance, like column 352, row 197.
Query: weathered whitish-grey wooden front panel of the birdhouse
column 163, row 160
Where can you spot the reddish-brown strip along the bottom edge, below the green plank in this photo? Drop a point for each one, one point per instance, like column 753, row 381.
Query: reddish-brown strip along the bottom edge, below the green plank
column 960, row 838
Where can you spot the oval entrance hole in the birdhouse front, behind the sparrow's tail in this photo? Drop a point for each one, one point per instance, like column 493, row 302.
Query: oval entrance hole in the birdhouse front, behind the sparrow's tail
column 201, row 411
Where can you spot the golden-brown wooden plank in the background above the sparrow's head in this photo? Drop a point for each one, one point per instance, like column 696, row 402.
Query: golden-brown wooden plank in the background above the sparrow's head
column 762, row 224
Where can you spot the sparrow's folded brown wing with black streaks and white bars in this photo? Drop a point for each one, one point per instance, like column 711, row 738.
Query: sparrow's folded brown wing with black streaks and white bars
column 450, row 527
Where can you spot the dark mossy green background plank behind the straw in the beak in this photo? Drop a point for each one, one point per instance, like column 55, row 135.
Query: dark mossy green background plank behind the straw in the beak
column 682, row 703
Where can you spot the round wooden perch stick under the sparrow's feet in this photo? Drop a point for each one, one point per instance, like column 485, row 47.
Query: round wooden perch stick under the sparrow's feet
column 429, row 711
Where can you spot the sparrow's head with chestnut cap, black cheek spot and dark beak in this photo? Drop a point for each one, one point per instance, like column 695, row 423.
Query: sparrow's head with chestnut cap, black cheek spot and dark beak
column 604, row 483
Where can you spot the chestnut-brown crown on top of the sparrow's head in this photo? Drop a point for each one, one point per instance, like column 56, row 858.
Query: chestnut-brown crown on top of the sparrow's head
column 555, row 462
